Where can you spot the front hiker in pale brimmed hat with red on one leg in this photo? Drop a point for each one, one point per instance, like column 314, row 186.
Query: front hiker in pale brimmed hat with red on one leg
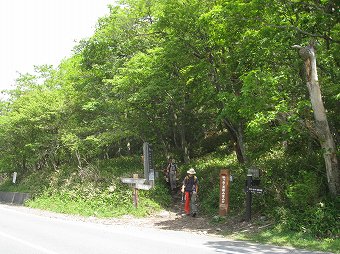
column 190, row 188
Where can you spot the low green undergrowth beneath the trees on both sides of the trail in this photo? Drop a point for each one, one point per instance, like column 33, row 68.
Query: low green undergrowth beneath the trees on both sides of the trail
column 97, row 190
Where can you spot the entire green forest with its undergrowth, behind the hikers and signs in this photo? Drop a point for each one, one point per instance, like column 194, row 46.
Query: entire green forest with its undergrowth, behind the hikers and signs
column 213, row 84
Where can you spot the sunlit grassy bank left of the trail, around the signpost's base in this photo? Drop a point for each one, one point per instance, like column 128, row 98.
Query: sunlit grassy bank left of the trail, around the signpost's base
column 89, row 191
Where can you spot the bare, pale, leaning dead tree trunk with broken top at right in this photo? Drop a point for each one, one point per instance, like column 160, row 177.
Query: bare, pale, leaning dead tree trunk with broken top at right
column 321, row 124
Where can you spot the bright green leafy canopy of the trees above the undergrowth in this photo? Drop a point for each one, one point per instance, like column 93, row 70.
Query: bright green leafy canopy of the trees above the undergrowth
column 169, row 70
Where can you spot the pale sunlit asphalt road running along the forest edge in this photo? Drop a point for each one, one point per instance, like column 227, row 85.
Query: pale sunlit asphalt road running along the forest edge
column 26, row 233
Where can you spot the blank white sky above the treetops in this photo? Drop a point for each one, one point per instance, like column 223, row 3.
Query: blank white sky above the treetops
column 37, row 32
